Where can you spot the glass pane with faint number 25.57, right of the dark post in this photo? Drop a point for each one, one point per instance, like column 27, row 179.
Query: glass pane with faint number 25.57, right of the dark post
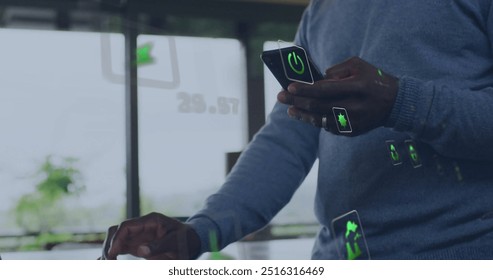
column 192, row 113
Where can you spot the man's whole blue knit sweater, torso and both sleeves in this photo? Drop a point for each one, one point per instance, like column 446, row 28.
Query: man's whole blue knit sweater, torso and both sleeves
column 440, row 206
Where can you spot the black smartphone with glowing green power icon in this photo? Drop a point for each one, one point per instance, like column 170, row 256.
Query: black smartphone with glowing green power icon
column 291, row 64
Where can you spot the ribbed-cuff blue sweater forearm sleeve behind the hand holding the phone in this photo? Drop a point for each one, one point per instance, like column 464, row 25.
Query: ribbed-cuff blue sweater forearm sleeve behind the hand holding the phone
column 455, row 122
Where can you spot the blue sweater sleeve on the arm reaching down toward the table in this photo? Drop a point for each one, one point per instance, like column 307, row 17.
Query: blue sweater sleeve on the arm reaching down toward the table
column 262, row 182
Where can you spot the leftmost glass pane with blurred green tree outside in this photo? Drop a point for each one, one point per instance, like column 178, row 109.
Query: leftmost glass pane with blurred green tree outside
column 62, row 167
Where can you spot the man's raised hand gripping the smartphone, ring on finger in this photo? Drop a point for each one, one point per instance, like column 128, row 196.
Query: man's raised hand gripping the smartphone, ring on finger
column 367, row 94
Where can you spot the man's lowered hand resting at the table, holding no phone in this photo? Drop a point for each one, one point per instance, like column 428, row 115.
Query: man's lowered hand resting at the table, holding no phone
column 154, row 237
